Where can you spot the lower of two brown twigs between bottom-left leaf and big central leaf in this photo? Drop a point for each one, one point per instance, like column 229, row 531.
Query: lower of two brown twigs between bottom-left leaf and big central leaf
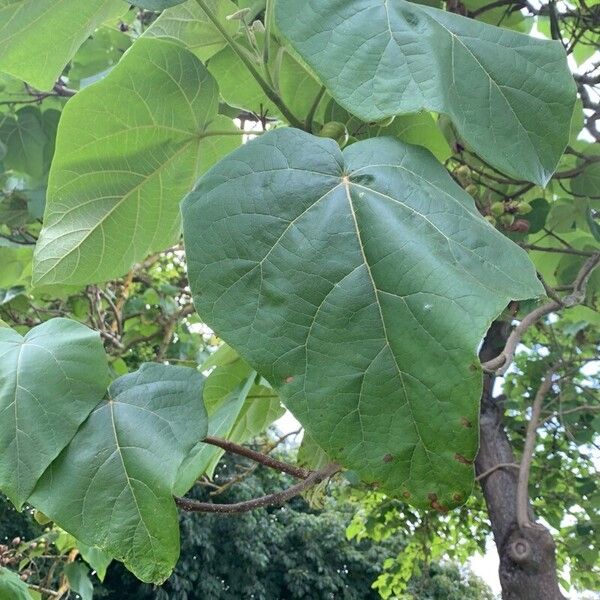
column 275, row 499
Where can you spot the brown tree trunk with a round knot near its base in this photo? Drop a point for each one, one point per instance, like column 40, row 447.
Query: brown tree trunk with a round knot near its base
column 527, row 557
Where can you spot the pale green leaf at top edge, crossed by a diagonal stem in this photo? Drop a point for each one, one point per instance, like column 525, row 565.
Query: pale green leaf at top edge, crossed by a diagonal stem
column 189, row 25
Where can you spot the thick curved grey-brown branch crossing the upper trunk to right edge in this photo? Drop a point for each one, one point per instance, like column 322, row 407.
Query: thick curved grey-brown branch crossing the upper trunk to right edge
column 502, row 362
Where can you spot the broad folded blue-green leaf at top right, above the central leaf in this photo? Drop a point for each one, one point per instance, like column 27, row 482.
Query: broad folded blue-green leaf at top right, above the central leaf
column 509, row 95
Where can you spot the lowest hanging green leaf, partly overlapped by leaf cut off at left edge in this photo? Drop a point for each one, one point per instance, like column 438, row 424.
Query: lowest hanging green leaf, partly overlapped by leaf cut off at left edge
column 112, row 486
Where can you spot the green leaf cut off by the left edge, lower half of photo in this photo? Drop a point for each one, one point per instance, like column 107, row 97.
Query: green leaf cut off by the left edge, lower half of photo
column 50, row 381
